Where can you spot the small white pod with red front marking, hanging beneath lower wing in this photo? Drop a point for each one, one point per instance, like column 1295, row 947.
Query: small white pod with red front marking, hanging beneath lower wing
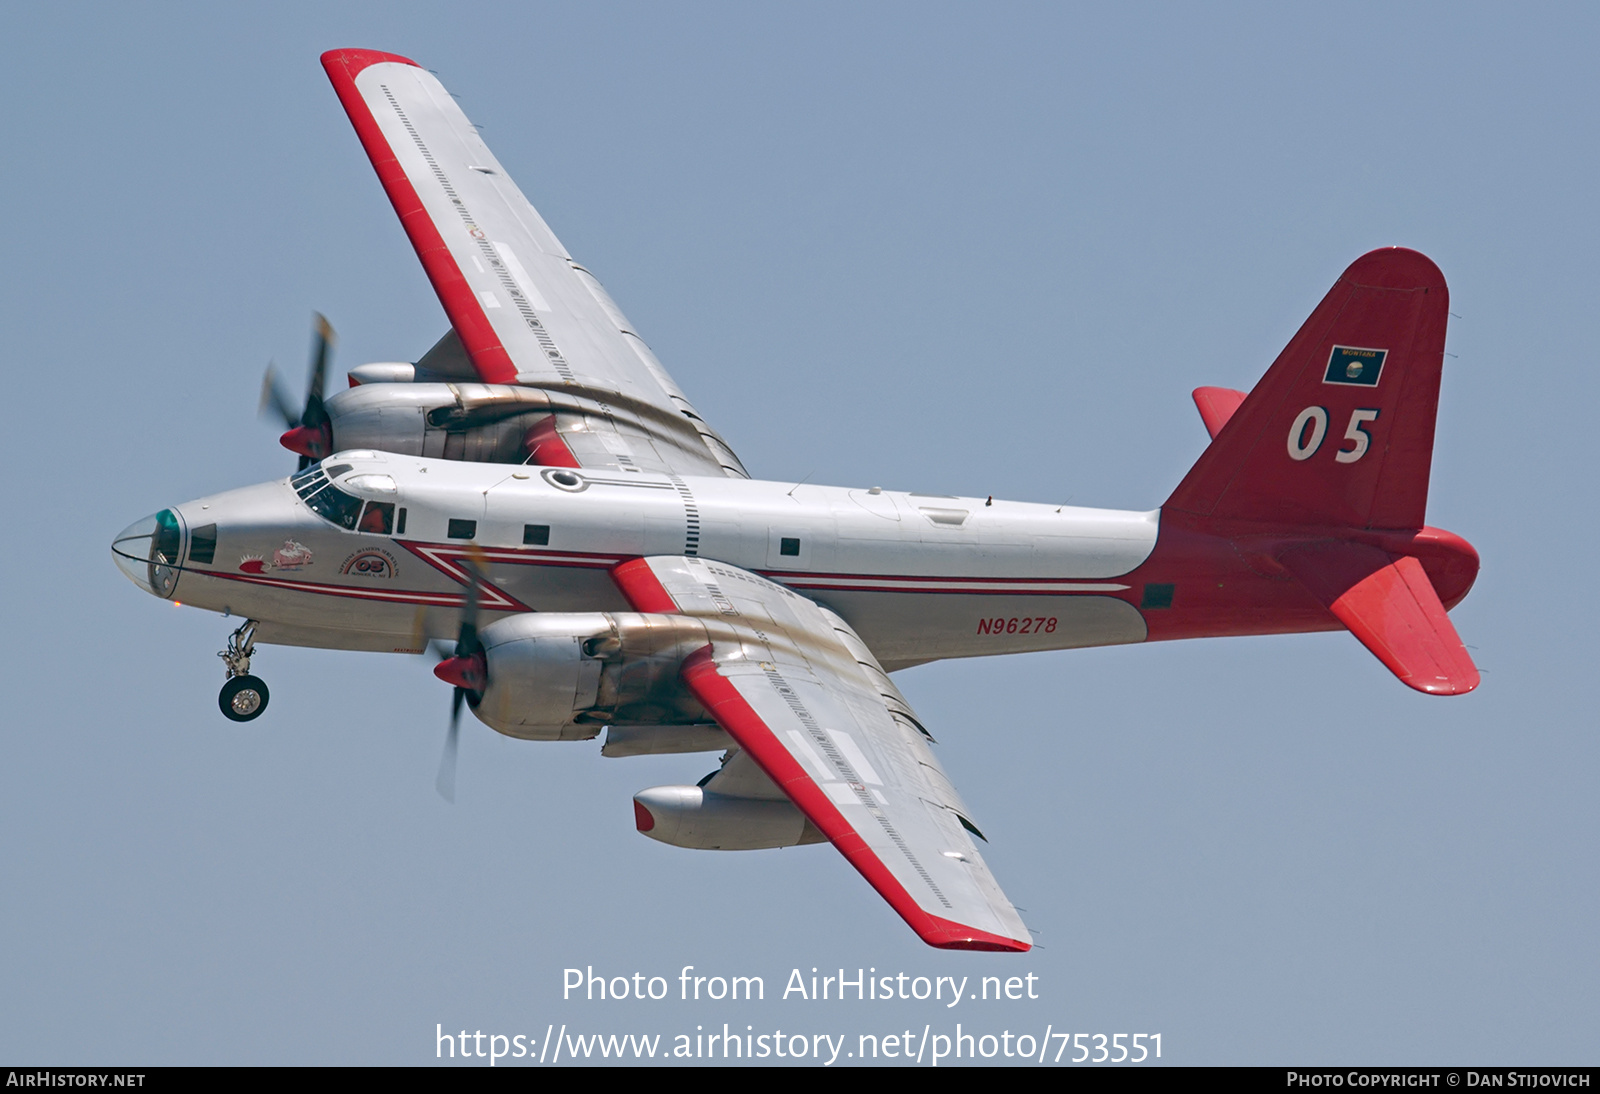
column 692, row 818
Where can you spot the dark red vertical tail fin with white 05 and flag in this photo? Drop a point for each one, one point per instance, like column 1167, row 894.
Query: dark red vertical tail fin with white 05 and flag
column 1340, row 433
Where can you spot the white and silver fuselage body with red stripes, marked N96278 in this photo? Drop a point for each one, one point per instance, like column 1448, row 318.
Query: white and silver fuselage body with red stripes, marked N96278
column 919, row 577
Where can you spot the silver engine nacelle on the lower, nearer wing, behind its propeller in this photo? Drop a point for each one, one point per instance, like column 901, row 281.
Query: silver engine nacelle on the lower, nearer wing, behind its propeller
column 564, row 676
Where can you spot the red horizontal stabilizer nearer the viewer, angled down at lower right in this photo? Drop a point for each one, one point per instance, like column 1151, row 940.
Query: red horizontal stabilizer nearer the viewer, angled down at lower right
column 1391, row 607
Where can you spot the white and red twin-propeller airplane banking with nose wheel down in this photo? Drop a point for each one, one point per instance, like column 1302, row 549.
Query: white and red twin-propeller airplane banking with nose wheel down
column 540, row 490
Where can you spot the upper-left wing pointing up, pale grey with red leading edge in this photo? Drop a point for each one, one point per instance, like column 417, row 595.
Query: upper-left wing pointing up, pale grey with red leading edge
column 522, row 311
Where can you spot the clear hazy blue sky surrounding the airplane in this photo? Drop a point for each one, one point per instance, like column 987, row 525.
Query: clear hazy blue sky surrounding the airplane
column 927, row 247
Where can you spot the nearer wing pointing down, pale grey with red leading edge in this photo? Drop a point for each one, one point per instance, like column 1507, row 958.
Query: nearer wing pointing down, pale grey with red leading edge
column 806, row 700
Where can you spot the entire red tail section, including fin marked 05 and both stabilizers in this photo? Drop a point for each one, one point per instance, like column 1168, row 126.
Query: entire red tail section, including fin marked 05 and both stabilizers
column 1306, row 513
